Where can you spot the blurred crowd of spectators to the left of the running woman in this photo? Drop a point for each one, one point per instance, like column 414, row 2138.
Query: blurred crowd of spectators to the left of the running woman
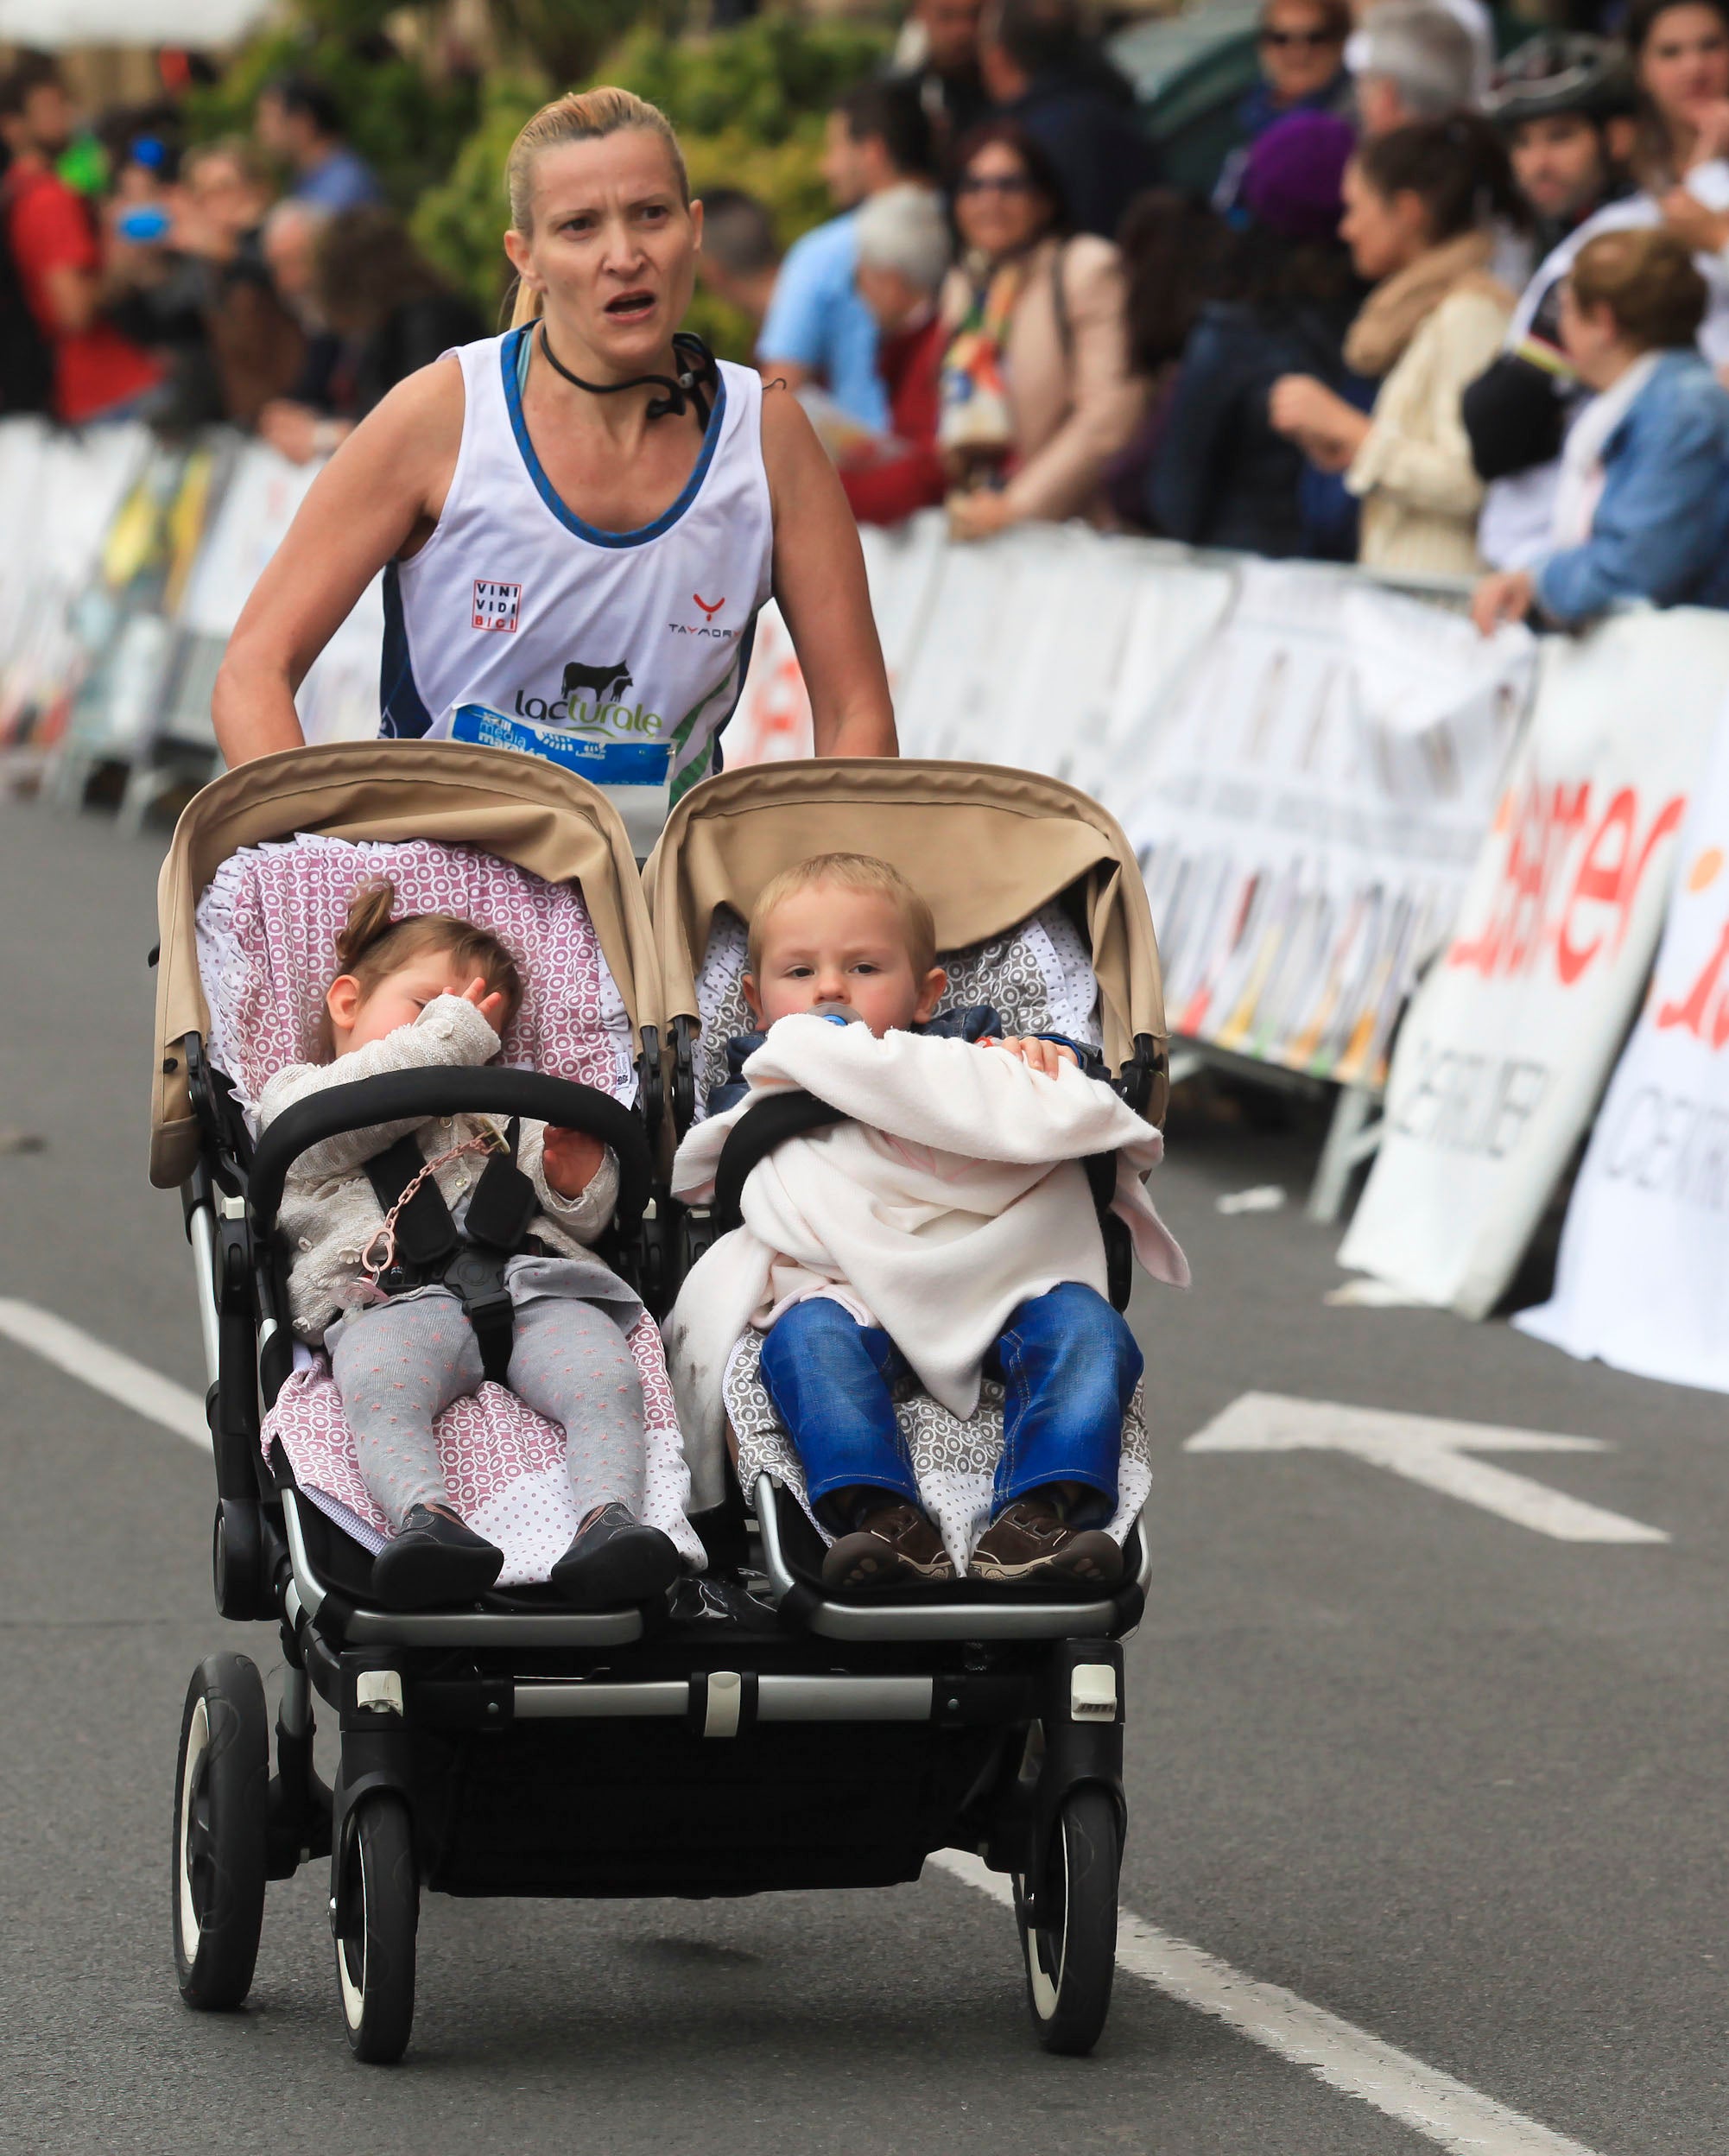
column 260, row 281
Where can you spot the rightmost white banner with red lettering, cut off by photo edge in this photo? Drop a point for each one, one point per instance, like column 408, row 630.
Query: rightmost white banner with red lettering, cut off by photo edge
column 1644, row 1277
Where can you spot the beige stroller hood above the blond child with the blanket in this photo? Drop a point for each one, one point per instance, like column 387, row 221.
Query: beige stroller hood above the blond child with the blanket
column 984, row 844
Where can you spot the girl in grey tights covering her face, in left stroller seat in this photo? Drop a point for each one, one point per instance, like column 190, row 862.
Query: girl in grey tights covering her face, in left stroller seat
column 413, row 995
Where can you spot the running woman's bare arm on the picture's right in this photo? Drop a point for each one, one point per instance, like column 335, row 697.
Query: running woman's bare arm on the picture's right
column 820, row 585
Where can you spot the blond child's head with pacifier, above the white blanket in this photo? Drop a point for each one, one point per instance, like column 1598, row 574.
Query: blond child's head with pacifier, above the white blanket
column 835, row 945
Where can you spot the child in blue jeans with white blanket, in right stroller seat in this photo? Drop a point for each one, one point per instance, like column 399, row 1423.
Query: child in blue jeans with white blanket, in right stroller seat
column 958, row 1262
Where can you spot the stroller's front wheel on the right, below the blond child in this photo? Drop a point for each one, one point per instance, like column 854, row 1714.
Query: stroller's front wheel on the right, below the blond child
column 1073, row 1950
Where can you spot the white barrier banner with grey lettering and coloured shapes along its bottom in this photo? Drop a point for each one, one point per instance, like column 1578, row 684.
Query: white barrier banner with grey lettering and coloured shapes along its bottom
column 1310, row 810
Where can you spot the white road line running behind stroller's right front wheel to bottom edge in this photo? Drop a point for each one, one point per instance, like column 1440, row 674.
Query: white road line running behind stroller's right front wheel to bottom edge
column 1346, row 2058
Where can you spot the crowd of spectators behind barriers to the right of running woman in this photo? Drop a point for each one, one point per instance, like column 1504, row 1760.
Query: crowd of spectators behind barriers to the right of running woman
column 1439, row 314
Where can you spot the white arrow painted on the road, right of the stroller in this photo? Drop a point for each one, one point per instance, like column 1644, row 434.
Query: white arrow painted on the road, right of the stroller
column 1428, row 1450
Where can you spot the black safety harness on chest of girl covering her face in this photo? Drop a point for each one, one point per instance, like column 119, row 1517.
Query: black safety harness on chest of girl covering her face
column 428, row 1249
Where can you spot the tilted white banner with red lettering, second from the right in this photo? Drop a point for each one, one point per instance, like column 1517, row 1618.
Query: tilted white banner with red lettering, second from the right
column 1508, row 1042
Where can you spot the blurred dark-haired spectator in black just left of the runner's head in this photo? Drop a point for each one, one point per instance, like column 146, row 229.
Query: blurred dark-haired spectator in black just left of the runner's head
column 393, row 312
